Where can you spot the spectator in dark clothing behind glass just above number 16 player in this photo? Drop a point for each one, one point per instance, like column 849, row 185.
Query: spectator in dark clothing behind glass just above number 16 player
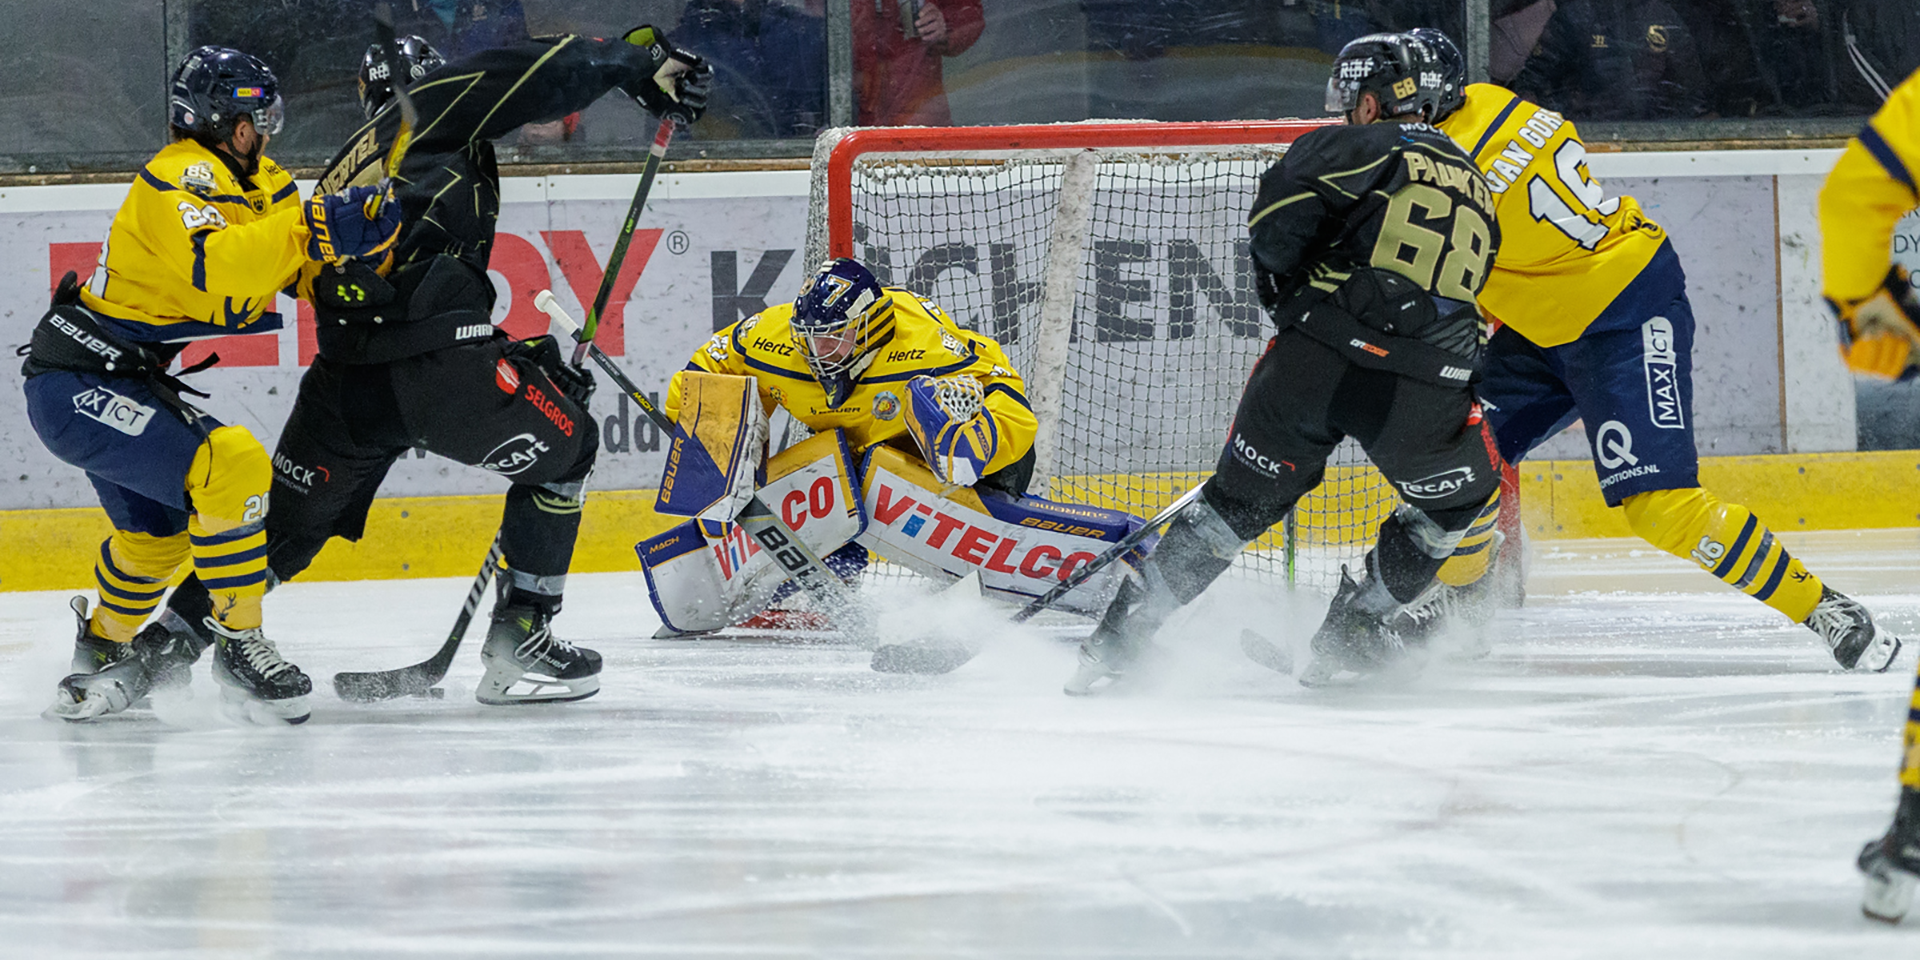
column 1621, row 60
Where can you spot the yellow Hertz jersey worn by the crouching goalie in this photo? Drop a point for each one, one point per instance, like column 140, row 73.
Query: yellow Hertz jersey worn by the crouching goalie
column 913, row 339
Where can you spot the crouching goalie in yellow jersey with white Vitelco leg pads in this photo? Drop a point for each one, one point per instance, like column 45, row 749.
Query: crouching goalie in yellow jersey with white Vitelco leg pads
column 923, row 452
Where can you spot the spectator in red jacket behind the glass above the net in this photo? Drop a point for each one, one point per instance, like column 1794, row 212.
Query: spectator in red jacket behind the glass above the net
column 898, row 49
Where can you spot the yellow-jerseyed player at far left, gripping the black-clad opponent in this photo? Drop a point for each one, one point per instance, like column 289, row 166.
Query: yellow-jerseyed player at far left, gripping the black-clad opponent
column 210, row 233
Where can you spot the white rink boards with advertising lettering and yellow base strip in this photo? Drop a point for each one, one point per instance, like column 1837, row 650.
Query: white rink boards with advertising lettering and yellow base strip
column 717, row 247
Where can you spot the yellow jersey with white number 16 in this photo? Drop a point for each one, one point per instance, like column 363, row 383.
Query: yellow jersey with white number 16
column 1566, row 247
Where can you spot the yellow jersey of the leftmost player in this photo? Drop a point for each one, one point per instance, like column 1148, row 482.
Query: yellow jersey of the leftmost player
column 199, row 251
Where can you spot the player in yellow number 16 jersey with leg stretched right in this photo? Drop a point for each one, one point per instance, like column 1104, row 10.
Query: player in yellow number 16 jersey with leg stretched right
column 1595, row 325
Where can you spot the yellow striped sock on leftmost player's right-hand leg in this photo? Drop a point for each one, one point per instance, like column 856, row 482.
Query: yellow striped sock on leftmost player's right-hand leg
column 229, row 485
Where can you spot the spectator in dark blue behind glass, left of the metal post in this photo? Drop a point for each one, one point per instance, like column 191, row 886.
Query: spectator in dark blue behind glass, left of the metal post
column 771, row 66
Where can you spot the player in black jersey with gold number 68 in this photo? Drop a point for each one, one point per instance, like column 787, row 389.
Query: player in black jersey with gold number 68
column 1370, row 243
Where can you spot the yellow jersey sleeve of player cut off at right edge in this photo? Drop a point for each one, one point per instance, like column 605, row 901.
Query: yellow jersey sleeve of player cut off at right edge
column 1869, row 191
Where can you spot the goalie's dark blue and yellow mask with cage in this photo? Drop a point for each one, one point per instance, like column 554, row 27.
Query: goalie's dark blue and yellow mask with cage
column 834, row 325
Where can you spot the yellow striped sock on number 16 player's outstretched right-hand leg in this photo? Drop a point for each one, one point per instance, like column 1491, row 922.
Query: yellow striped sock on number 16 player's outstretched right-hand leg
column 1729, row 542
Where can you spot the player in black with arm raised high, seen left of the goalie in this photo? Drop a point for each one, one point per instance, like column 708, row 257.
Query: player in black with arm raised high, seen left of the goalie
column 408, row 356
